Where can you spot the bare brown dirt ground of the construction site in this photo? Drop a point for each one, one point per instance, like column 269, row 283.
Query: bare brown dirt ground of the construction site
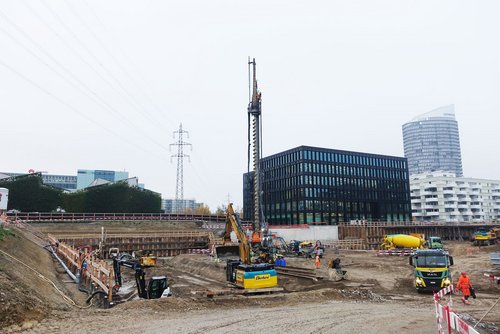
column 378, row 298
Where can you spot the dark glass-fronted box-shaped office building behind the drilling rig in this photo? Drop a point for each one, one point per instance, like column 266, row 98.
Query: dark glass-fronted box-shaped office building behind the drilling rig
column 319, row 185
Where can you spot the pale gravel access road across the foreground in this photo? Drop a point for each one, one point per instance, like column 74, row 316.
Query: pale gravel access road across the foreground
column 330, row 316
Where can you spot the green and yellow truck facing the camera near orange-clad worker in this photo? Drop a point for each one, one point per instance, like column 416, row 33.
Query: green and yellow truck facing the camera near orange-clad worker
column 432, row 269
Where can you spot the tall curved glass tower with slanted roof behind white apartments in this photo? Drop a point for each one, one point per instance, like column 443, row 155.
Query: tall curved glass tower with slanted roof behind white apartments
column 432, row 143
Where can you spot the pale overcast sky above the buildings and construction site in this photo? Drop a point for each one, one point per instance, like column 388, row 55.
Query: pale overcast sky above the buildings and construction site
column 94, row 84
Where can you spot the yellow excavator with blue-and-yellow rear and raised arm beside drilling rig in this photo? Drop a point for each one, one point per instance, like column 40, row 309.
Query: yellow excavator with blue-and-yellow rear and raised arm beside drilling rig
column 245, row 273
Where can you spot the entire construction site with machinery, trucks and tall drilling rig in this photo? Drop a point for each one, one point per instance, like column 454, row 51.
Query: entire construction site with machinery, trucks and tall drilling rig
column 114, row 273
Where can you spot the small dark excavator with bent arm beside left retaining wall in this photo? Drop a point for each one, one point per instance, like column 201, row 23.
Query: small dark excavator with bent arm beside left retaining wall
column 157, row 286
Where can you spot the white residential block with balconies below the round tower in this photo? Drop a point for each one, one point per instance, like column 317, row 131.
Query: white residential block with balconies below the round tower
column 441, row 196
